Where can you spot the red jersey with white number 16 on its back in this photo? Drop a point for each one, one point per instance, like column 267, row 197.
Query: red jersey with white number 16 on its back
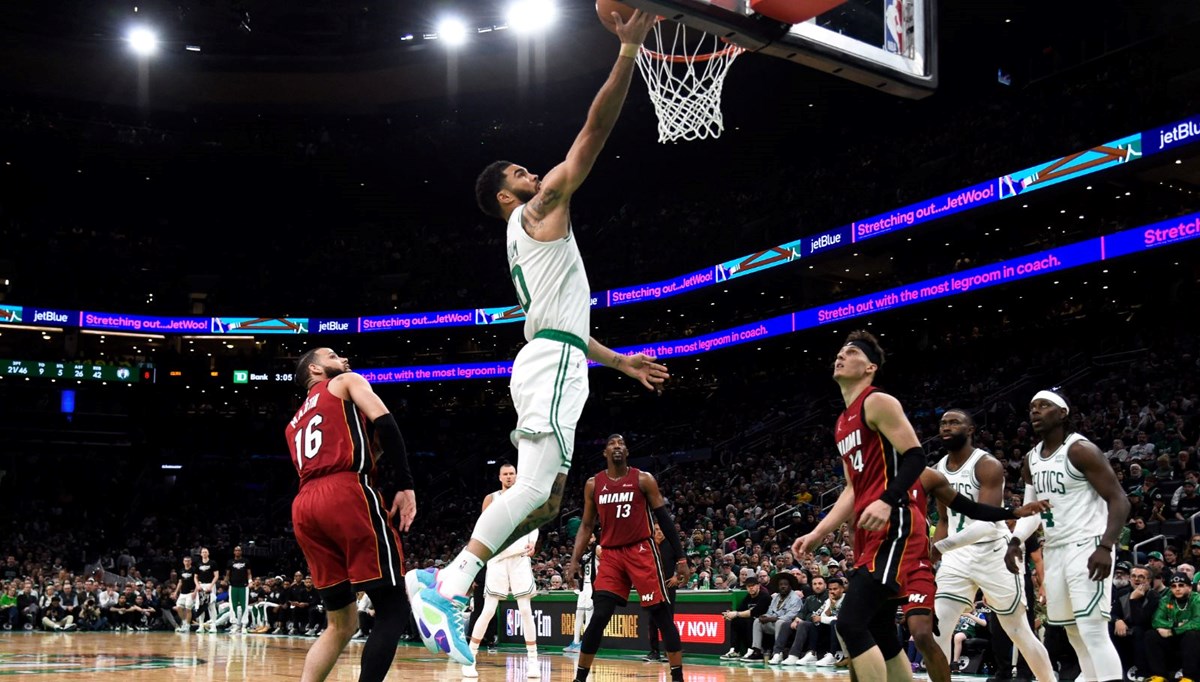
column 329, row 435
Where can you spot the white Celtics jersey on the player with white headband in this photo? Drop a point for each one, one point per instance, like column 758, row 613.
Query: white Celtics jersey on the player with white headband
column 1078, row 513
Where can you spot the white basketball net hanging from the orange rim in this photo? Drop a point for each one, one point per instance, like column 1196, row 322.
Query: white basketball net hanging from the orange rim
column 685, row 79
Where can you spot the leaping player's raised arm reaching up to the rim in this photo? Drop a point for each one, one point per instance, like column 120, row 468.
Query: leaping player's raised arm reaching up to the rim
column 565, row 180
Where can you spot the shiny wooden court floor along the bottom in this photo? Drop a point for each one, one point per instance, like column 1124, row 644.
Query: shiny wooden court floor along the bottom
column 170, row 657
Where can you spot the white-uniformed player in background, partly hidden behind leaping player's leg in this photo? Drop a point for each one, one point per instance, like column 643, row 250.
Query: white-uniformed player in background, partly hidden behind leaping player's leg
column 511, row 572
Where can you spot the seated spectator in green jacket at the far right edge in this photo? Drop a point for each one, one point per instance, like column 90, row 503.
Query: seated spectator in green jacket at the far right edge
column 1175, row 639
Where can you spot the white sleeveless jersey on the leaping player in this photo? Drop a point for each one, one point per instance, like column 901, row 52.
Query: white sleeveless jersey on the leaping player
column 551, row 284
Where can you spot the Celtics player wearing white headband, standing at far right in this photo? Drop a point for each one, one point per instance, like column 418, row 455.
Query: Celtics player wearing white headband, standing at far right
column 1090, row 511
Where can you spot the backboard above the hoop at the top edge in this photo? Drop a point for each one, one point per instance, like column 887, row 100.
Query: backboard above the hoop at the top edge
column 887, row 45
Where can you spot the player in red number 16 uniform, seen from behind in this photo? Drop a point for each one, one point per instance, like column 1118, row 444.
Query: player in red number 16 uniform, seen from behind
column 340, row 518
